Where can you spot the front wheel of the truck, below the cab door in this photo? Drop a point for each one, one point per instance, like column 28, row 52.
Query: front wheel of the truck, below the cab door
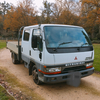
column 35, row 75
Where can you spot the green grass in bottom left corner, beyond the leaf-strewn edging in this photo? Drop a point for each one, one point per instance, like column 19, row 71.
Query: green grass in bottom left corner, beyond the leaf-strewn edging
column 4, row 95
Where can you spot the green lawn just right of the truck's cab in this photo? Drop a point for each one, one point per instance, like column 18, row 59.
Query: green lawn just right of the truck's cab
column 96, row 57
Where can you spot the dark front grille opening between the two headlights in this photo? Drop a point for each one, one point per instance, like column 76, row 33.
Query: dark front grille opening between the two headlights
column 71, row 69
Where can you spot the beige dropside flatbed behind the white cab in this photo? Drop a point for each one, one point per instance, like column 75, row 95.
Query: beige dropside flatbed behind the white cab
column 13, row 46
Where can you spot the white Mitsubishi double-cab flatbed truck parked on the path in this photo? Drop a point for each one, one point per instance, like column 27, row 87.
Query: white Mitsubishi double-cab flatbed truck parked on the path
column 54, row 53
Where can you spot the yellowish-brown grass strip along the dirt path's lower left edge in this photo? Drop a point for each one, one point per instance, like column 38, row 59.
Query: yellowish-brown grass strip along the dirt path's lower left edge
column 16, row 85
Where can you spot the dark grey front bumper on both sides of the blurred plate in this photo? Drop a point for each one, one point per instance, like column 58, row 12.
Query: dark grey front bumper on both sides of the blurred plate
column 64, row 77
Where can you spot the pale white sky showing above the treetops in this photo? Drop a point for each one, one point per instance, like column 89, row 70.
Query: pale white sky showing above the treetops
column 38, row 3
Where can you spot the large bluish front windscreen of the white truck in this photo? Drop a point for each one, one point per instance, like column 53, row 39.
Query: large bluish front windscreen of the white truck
column 65, row 37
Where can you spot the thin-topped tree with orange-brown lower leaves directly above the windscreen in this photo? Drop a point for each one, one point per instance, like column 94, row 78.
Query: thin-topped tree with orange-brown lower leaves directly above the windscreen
column 67, row 13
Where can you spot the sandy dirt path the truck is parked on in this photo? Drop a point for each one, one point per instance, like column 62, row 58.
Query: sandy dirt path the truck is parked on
column 89, row 88
